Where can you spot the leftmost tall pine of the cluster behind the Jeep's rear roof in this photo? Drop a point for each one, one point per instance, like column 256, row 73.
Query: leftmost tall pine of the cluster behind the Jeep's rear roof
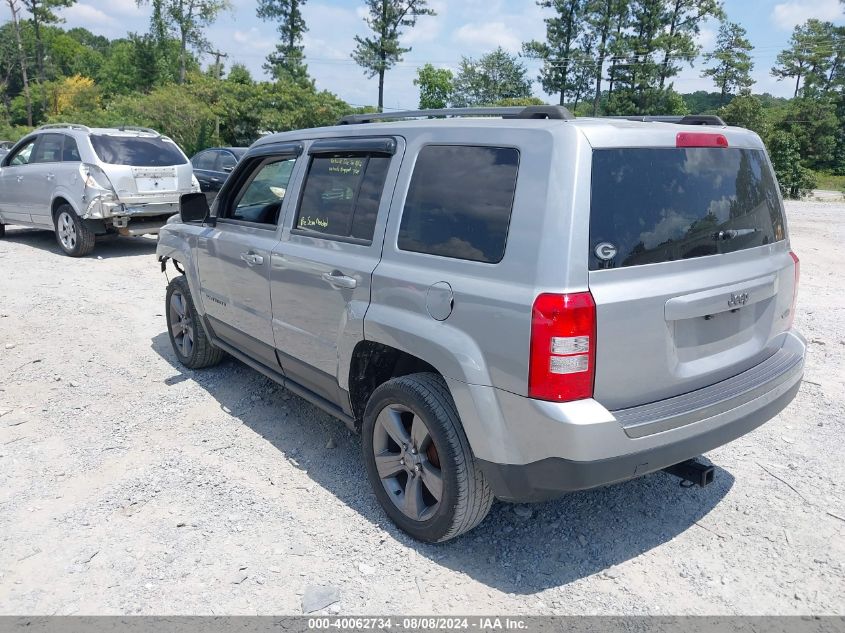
column 557, row 51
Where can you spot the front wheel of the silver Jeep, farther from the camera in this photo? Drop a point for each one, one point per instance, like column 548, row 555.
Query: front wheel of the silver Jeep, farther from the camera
column 184, row 326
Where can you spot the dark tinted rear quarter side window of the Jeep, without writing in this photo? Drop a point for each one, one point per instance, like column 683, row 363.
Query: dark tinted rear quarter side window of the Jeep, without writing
column 459, row 202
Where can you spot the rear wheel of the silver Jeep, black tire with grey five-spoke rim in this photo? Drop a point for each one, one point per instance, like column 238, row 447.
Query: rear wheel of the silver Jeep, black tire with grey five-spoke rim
column 465, row 496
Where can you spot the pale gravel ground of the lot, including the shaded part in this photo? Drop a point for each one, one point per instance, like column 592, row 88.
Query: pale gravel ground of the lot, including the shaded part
column 131, row 485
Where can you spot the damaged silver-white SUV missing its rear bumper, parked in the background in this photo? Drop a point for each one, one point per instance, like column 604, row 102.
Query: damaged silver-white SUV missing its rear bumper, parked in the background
column 82, row 182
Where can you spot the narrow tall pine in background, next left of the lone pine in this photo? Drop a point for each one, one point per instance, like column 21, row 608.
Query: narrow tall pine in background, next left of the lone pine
column 288, row 59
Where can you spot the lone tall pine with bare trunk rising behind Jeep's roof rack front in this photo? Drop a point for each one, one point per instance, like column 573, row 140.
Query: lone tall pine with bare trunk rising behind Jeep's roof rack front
column 379, row 53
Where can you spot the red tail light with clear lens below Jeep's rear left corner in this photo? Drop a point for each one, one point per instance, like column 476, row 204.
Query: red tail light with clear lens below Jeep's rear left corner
column 563, row 347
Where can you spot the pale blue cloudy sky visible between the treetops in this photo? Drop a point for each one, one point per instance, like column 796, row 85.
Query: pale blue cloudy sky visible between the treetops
column 461, row 28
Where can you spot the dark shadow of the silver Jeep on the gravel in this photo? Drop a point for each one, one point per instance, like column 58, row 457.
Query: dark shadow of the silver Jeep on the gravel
column 517, row 549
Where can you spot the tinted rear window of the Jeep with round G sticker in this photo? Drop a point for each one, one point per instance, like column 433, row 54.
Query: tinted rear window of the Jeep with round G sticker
column 664, row 204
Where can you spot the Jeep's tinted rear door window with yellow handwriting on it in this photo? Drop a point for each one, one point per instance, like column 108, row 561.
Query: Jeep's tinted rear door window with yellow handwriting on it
column 341, row 195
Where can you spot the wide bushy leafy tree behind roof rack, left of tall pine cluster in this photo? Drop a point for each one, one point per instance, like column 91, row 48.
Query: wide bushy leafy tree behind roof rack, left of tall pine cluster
column 493, row 77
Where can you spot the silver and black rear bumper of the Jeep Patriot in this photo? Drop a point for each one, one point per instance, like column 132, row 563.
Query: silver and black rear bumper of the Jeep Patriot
column 532, row 450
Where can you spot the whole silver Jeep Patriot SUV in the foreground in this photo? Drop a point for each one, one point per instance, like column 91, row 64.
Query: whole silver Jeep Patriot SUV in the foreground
column 514, row 304
